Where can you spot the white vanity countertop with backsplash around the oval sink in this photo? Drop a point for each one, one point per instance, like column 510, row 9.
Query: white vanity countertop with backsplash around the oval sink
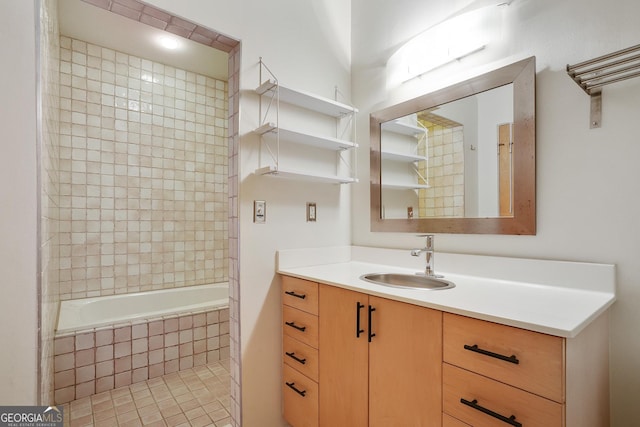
column 554, row 297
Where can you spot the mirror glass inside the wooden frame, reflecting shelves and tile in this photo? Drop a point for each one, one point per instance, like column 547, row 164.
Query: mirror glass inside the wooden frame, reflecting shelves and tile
column 453, row 160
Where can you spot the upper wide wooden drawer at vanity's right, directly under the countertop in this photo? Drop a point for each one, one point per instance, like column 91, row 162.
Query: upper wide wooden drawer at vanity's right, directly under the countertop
column 482, row 347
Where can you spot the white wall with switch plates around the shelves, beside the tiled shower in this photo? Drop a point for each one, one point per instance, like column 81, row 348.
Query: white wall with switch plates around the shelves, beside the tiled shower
column 307, row 45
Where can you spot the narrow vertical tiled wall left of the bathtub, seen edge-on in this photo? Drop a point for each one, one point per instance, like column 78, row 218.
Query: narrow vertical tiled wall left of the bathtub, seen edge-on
column 49, row 147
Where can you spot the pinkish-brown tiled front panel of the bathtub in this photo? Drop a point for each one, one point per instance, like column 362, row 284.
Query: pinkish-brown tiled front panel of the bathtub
column 93, row 361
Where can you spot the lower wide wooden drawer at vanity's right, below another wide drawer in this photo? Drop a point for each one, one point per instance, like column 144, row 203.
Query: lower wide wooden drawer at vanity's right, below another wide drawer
column 480, row 401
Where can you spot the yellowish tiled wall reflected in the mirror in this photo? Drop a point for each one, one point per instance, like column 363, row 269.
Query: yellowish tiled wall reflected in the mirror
column 445, row 198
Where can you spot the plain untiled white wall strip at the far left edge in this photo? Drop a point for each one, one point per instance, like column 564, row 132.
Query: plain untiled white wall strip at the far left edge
column 18, row 205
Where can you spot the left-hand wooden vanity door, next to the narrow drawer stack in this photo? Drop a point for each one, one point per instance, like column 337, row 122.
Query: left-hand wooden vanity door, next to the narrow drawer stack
column 343, row 357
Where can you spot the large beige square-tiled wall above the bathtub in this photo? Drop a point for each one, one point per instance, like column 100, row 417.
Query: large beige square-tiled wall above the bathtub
column 143, row 174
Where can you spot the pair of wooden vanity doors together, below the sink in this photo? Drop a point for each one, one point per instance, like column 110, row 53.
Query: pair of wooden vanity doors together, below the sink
column 380, row 361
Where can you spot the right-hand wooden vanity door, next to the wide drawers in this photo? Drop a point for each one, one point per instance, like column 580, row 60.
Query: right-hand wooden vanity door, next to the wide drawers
column 405, row 365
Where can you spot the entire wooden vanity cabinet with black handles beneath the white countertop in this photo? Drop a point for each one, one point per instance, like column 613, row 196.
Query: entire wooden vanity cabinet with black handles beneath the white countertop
column 357, row 360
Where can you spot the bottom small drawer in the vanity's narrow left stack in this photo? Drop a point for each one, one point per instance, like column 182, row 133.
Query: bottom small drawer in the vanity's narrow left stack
column 300, row 399
